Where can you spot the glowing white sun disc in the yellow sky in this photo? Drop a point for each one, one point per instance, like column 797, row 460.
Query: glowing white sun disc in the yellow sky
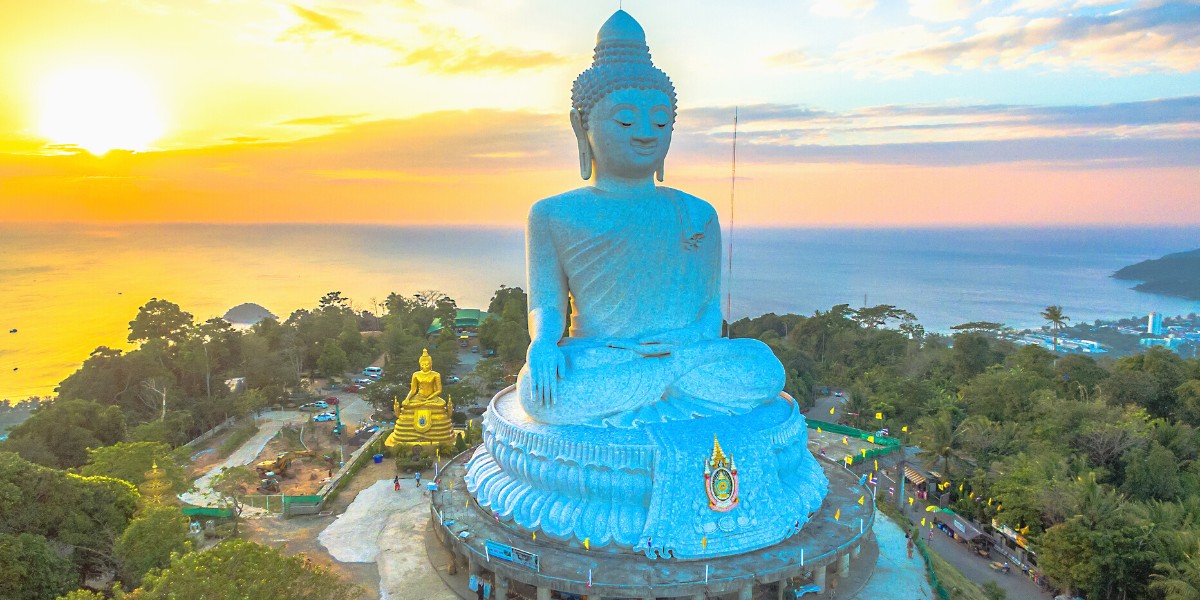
column 99, row 110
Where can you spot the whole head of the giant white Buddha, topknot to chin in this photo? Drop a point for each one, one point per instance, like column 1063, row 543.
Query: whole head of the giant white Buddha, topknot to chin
column 623, row 107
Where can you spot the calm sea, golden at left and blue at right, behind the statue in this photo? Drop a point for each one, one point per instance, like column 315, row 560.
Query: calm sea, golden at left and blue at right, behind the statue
column 70, row 289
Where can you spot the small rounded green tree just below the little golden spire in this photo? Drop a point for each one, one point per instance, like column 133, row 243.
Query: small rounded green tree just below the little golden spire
column 149, row 543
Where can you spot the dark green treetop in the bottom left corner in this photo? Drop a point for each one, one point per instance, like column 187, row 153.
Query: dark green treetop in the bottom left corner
column 32, row 571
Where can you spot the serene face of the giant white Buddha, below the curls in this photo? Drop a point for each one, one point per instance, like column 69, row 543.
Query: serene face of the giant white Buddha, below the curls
column 631, row 133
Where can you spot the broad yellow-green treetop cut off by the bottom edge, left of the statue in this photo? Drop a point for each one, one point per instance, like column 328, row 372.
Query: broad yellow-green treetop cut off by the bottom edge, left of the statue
column 244, row 569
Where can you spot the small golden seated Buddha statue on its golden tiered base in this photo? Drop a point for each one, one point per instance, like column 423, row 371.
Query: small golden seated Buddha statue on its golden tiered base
column 424, row 416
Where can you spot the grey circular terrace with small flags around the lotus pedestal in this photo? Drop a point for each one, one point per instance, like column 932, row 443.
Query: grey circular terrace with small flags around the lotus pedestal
column 476, row 538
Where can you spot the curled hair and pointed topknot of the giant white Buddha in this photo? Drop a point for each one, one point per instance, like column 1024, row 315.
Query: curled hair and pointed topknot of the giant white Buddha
column 622, row 61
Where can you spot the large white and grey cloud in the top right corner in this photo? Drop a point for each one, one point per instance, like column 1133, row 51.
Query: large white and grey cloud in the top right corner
column 1154, row 38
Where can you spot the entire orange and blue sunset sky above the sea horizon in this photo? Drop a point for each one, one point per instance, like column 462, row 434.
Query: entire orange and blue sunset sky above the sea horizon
column 415, row 112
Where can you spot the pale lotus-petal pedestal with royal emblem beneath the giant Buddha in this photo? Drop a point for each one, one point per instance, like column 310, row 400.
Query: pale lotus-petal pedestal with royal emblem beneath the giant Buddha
column 651, row 489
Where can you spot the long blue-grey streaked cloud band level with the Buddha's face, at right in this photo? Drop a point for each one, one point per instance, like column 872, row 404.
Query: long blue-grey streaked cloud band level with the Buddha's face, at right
column 1150, row 134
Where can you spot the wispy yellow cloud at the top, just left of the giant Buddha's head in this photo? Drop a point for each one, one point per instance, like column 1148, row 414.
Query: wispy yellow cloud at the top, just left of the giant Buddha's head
column 437, row 49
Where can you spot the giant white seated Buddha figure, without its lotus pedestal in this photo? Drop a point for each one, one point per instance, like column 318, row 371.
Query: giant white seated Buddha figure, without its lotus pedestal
column 637, row 265
